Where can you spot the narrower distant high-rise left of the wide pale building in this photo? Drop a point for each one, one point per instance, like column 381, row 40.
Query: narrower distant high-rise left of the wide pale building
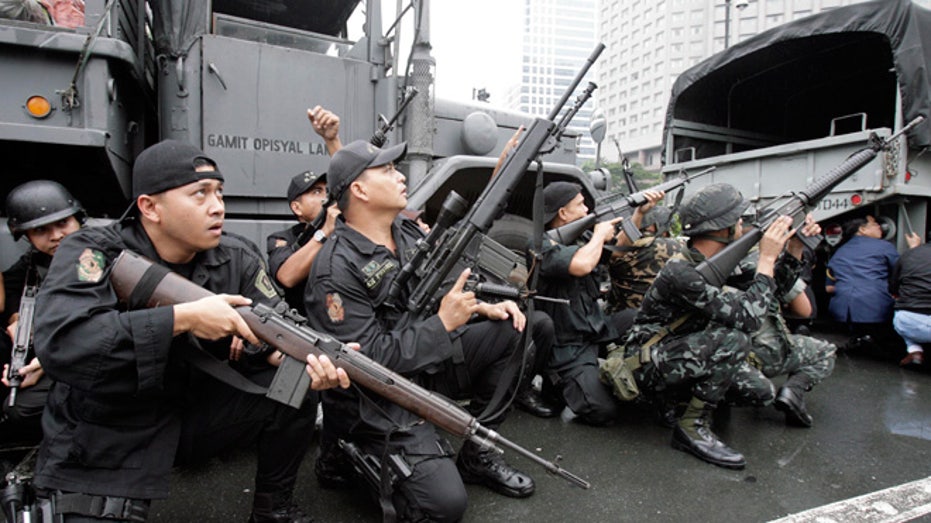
column 558, row 36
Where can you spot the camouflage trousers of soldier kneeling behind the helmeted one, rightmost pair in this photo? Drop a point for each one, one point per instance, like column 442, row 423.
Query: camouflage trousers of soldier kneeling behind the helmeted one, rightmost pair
column 777, row 352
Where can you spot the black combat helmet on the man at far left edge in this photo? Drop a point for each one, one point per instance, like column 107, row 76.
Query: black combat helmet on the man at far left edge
column 37, row 203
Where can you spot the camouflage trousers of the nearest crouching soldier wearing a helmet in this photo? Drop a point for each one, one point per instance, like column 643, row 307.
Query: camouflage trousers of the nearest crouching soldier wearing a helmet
column 706, row 361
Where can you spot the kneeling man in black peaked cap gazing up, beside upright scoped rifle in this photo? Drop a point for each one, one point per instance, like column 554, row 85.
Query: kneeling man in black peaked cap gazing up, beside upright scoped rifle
column 347, row 295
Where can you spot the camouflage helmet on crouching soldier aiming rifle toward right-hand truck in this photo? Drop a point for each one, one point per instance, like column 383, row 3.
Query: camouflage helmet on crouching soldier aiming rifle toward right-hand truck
column 715, row 207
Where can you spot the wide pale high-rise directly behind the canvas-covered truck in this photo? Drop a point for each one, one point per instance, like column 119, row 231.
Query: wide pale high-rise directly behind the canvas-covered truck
column 649, row 42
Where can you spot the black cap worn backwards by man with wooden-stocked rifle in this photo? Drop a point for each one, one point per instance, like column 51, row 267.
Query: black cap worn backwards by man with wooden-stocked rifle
column 166, row 165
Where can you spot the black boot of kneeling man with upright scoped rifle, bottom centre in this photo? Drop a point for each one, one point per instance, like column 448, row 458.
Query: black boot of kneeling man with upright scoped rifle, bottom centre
column 487, row 467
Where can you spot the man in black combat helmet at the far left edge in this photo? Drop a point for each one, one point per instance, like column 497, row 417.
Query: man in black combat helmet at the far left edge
column 43, row 212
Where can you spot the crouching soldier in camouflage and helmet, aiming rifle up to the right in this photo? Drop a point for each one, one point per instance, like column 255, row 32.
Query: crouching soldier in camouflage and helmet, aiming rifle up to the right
column 711, row 328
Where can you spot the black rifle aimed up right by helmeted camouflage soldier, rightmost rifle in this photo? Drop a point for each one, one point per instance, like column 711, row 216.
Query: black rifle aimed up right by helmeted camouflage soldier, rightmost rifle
column 717, row 268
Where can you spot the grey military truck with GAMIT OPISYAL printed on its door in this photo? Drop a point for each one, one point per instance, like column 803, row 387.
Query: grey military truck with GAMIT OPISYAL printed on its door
column 235, row 77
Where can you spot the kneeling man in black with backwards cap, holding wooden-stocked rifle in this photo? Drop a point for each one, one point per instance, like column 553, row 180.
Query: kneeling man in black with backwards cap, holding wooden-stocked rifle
column 125, row 399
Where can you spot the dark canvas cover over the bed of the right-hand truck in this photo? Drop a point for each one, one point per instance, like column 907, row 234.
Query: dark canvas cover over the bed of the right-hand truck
column 789, row 83
